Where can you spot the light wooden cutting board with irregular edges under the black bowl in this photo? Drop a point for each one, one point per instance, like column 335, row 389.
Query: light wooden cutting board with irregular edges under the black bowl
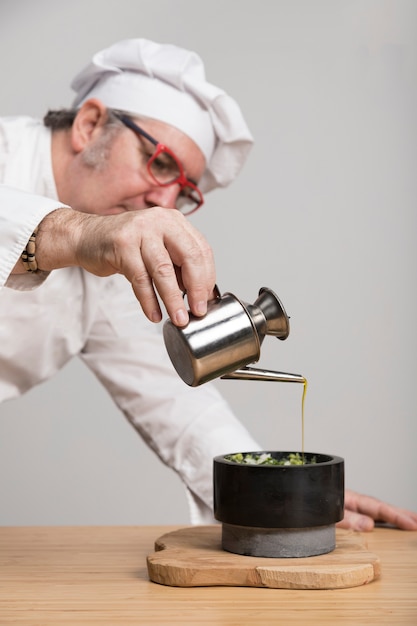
column 193, row 557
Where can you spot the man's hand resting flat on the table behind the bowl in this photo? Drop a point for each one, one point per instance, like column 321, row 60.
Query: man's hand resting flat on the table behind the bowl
column 362, row 512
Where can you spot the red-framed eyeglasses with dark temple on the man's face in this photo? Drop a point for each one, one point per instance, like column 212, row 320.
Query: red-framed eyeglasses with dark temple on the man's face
column 165, row 169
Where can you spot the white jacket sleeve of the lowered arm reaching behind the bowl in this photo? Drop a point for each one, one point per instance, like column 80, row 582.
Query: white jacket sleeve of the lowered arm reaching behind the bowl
column 186, row 427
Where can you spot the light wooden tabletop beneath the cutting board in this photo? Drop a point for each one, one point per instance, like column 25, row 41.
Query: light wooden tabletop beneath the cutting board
column 97, row 575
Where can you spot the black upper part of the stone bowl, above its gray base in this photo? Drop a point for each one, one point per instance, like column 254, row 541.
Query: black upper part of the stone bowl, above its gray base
column 279, row 496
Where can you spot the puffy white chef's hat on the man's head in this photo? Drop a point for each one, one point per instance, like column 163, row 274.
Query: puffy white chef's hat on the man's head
column 168, row 83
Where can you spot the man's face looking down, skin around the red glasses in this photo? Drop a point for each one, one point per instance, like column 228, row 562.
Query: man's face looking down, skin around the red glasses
column 109, row 174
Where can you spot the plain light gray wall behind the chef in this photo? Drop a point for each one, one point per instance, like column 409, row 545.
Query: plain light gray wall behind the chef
column 323, row 213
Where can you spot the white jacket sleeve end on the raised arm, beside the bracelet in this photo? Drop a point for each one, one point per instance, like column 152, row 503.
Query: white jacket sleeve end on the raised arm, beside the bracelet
column 20, row 213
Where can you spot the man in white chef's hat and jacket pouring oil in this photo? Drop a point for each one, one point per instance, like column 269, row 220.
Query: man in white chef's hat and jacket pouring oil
column 87, row 202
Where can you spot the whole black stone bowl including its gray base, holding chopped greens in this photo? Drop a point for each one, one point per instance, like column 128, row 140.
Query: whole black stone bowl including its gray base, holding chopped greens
column 279, row 510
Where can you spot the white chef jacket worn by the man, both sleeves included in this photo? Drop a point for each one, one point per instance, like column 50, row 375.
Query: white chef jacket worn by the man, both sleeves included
column 48, row 318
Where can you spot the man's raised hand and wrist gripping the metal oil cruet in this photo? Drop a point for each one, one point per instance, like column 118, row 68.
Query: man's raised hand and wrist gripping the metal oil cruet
column 157, row 249
